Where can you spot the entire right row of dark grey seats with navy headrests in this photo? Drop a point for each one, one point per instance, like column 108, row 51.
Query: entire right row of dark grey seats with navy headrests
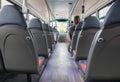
column 97, row 47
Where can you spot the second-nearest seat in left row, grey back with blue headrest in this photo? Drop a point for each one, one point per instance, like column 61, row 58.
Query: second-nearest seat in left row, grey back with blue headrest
column 36, row 30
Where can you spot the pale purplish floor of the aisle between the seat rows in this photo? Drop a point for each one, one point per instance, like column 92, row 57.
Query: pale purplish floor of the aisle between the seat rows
column 61, row 68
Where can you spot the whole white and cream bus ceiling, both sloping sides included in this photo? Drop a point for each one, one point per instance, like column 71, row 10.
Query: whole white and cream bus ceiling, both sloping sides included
column 62, row 8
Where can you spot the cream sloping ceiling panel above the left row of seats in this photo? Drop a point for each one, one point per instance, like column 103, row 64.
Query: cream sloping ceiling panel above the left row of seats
column 38, row 7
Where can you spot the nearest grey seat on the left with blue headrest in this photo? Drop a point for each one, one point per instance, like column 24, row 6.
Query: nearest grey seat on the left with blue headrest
column 15, row 43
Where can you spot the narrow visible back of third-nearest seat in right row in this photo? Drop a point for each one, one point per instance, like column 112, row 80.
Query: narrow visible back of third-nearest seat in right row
column 75, row 35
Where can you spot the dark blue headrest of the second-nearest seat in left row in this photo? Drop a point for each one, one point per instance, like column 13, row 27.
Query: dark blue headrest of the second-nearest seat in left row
column 35, row 24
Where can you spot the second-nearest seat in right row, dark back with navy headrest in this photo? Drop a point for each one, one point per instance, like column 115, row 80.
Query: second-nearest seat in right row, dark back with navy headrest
column 90, row 27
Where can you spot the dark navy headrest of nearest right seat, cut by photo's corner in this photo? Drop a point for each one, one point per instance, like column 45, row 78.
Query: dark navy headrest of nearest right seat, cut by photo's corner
column 113, row 15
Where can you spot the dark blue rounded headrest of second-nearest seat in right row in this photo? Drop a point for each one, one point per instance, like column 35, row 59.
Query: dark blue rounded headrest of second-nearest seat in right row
column 91, row 22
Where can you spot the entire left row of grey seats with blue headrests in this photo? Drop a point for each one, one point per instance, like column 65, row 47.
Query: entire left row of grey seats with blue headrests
column 22, row 49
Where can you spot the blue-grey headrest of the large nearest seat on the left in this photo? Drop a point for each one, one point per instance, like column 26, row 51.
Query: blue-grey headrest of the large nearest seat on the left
column 10, row 15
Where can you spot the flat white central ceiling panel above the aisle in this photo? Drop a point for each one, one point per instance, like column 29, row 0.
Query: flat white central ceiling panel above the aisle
column 61, row 8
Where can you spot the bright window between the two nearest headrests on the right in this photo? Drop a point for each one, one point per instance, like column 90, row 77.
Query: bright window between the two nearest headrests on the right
column 103, row 12
